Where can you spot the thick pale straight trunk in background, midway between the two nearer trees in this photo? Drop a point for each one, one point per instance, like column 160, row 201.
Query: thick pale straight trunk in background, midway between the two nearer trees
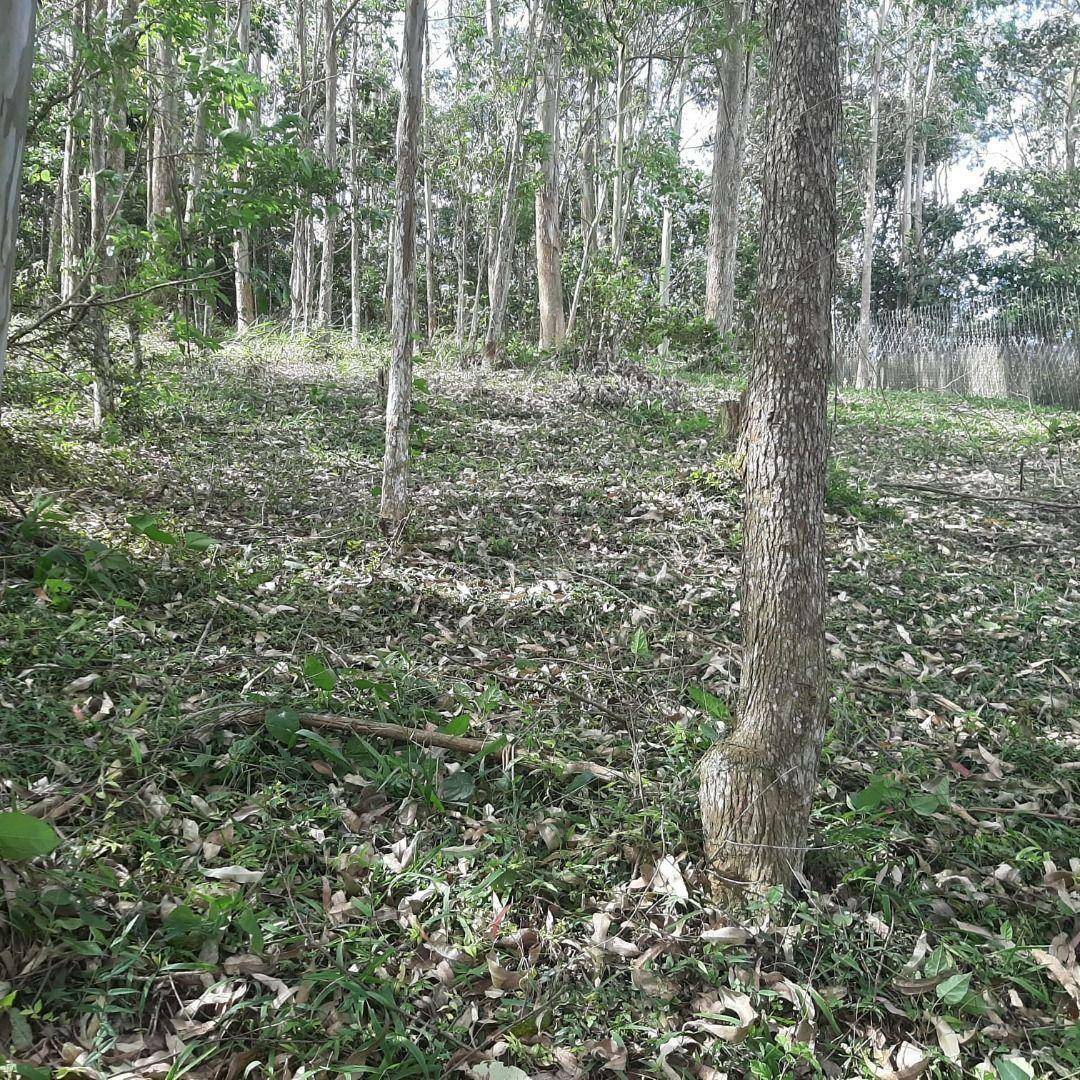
column 549, row 238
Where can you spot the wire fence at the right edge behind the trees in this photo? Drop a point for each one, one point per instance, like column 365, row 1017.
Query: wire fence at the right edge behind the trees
column 1025, row 346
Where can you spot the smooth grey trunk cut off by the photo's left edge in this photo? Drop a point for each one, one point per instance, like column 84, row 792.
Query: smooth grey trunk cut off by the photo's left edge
column 17, row 62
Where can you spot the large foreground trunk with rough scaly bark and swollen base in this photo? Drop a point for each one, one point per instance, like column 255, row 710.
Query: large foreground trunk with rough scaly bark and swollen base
column 758, row 785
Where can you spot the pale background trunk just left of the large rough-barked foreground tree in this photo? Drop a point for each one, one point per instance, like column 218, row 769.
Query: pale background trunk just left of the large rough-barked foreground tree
column 732, row 115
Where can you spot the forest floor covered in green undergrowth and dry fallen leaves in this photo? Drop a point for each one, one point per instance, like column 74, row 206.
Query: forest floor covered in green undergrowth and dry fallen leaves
column 234, row 900
